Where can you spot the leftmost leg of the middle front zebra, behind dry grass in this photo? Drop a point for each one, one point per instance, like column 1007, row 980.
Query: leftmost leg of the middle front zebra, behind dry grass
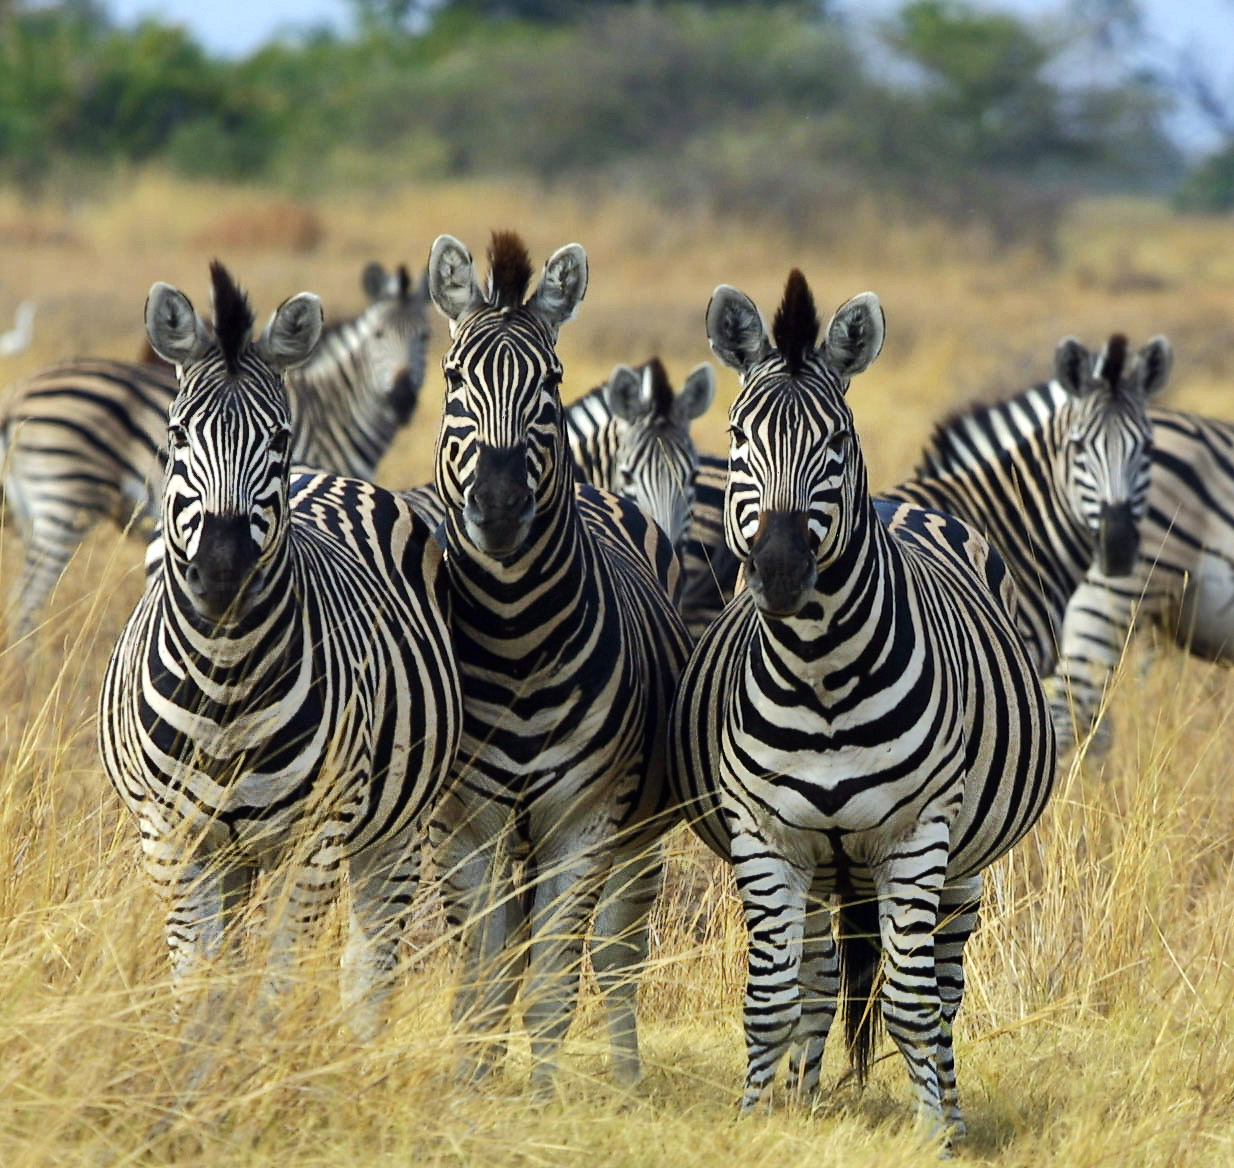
column 483, row 906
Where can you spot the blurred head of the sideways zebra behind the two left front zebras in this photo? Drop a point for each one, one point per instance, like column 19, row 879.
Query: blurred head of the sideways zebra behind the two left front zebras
column 395, row 336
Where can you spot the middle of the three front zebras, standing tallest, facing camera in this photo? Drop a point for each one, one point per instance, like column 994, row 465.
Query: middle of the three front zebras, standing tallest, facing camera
column 569, row 651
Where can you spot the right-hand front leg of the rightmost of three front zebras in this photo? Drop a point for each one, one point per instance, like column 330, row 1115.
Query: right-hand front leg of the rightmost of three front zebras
column 910, row 884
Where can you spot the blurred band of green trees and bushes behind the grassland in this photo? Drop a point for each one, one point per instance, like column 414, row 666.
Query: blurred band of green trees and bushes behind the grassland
column 781, row 109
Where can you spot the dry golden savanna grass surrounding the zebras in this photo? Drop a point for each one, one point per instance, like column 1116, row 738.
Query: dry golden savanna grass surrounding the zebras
column 1099, row 1024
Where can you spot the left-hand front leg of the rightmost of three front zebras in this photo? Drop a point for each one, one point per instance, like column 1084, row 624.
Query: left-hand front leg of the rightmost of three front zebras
column 774, row 896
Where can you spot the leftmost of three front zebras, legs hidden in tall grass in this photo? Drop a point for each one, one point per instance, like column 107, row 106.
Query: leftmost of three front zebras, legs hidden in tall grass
column 284, row 694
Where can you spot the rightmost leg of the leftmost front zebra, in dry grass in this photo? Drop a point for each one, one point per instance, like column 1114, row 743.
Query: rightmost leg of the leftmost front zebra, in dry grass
column 384, row 881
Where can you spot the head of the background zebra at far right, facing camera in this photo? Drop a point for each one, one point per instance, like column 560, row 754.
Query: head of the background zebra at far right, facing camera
column 1109, row 441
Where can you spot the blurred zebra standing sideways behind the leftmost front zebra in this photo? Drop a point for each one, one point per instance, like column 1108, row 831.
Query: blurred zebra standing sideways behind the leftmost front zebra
column 85, row 441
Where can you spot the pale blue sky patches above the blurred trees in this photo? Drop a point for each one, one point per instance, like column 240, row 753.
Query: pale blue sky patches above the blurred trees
column 235, row 28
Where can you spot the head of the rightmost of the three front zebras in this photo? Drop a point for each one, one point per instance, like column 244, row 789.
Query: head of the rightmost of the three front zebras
column 797, row 478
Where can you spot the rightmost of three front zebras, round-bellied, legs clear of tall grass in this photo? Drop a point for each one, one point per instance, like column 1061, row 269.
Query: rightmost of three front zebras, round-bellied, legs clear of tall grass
column 862, row 722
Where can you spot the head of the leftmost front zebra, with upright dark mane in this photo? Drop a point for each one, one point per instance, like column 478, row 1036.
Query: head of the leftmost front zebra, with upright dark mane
column 225, row 506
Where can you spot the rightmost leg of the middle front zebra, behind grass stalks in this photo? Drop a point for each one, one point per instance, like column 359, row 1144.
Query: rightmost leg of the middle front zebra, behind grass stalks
column 619, row 950
